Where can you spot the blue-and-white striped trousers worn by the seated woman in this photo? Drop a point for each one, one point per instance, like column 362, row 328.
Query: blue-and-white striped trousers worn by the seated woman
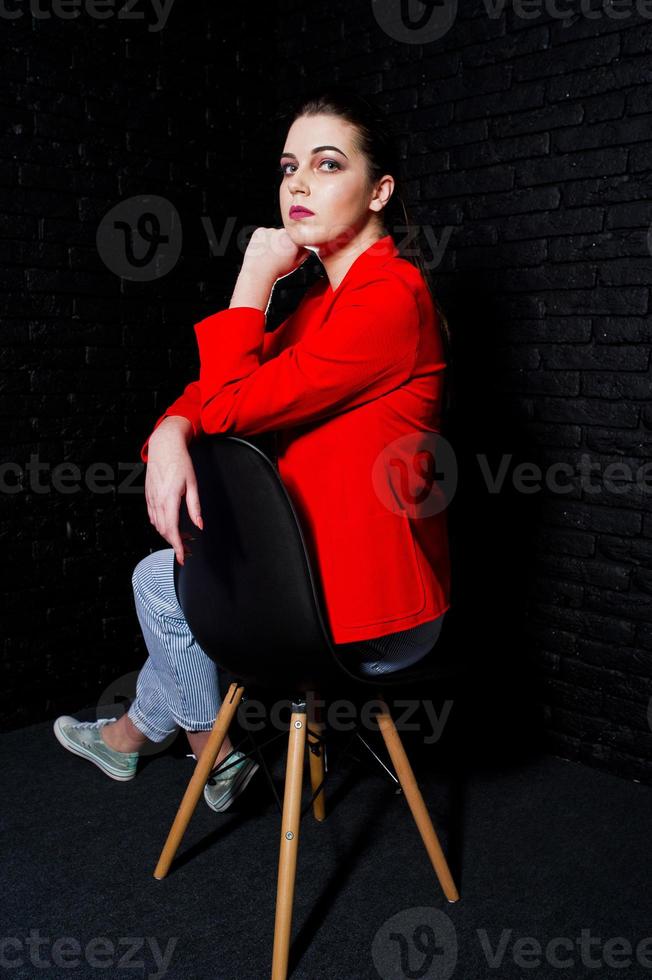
column 179, row 684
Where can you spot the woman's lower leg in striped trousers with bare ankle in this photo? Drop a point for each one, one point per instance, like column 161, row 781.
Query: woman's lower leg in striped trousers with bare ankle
column 178, row 685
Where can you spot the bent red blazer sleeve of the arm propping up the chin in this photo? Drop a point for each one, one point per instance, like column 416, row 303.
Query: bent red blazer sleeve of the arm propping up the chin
column 366, row 347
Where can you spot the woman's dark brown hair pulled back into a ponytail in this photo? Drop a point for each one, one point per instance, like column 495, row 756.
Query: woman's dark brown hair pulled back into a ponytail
column 380, row 145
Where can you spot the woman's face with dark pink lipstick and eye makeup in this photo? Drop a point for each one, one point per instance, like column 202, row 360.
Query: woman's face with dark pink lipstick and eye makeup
column 323, row 172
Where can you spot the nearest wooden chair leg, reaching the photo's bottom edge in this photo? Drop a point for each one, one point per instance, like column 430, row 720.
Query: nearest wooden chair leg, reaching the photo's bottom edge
column 287, row 864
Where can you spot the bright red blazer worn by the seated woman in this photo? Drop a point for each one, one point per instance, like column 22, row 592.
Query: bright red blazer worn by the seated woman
column 352, row 383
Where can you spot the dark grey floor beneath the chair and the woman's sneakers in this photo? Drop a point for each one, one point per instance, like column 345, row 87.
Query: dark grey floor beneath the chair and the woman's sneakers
column 540, row 849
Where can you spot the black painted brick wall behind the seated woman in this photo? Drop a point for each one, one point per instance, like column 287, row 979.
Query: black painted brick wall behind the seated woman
column 531, row 141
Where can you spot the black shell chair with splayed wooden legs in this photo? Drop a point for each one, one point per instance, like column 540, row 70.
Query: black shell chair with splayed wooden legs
column 253, row 604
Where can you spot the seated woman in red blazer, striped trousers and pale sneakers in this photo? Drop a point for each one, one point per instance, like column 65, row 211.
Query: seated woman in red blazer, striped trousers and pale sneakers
column 352, row 383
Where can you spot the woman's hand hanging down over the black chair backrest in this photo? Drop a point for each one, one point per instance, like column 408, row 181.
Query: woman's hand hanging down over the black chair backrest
column 170, row 475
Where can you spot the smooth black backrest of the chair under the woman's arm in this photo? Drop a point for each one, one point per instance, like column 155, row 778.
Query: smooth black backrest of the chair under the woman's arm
column 248, row 590
